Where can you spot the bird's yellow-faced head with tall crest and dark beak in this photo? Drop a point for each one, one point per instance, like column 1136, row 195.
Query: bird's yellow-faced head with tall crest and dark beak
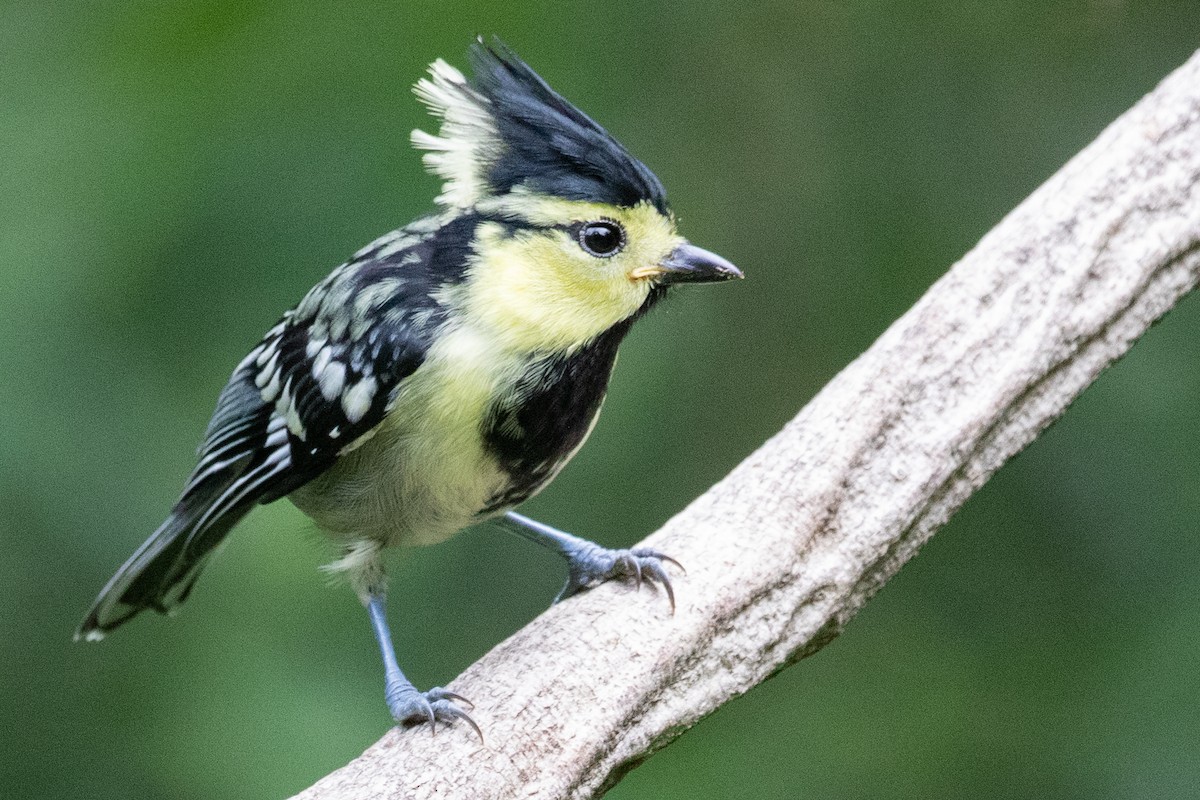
column 574, row 233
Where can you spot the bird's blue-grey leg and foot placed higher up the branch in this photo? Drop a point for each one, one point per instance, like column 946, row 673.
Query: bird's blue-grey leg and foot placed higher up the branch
column 590, row 564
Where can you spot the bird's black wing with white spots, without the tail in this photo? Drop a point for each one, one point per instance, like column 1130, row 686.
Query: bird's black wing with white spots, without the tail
column 325, row 377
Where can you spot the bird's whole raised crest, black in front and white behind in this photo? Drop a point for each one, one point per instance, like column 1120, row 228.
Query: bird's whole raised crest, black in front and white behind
column 506, row 129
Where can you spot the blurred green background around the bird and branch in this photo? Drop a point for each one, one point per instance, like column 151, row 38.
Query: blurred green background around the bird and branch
column 176, row 176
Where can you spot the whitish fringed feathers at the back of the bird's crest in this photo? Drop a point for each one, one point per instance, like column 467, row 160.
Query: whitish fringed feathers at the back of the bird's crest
column 459, row 153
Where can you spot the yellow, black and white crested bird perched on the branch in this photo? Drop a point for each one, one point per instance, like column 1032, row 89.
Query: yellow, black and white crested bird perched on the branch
column 449, row 370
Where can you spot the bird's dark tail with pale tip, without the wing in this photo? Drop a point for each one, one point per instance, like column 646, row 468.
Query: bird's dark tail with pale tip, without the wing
column 161, row 574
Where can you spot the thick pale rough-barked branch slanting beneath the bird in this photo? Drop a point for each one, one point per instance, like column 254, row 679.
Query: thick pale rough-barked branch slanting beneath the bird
column 785, row 550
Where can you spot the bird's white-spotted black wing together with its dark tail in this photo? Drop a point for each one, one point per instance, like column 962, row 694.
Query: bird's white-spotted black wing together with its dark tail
column 317, row 383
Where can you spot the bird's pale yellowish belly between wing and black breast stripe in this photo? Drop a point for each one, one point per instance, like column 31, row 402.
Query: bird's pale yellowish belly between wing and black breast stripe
column 427, row 472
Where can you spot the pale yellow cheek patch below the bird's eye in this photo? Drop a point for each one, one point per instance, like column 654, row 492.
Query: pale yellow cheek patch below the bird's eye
column 539, row 292
